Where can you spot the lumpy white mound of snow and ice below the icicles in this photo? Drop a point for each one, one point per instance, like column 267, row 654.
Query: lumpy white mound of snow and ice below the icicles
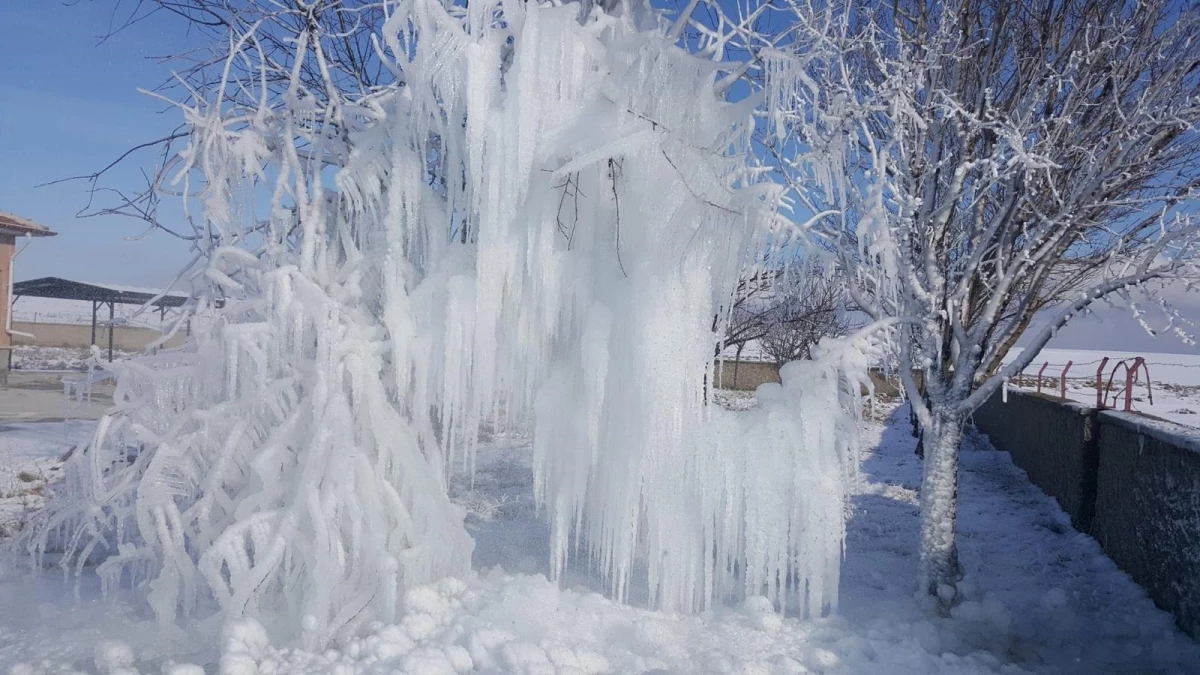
column 527, row 625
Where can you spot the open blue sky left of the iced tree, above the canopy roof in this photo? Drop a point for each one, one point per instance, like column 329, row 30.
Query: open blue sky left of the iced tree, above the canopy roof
column 69, row 105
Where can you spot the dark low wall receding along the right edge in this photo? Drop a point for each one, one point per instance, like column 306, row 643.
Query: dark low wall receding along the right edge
column 1131, row 481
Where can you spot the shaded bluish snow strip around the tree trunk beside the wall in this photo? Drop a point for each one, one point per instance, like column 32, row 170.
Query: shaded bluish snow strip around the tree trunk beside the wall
column 1041, row 595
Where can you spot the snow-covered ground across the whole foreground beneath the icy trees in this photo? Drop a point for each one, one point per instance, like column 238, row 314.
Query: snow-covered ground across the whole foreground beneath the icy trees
column 1042, row 598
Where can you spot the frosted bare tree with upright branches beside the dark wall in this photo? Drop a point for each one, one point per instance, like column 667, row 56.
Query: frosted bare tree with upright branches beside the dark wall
column 982, row 166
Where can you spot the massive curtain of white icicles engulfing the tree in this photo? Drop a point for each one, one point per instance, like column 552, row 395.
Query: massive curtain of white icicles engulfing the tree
column 293, row 461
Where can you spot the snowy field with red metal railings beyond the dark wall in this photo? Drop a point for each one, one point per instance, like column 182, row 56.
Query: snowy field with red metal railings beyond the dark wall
column 1174, row 379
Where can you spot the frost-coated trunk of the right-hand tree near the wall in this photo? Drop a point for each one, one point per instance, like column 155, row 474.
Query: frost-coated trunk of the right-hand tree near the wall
column 939, row 569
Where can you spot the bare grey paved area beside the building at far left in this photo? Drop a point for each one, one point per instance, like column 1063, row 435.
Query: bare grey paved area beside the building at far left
column 39, row 397
